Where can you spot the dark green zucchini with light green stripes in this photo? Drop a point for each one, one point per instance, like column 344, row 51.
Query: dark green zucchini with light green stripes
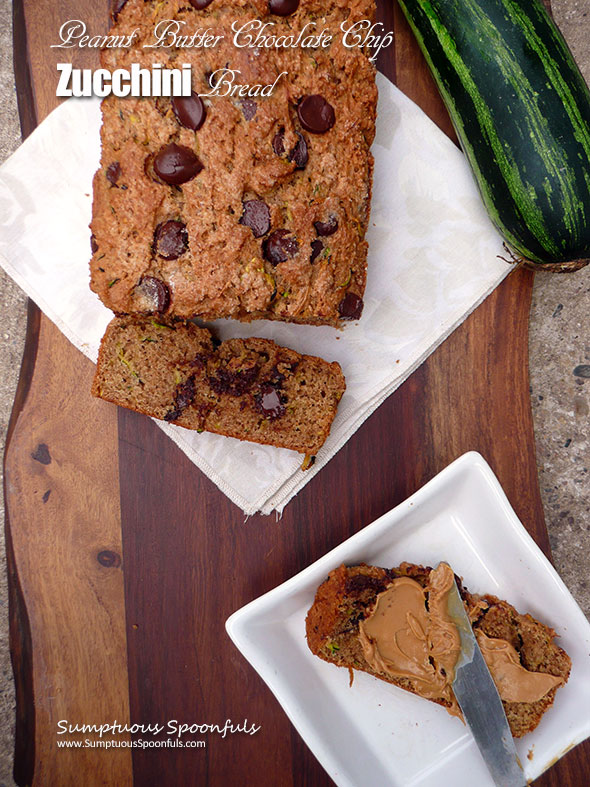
column 521, row 110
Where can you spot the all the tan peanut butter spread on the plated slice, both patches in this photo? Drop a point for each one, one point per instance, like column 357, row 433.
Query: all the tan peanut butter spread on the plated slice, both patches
column 404, row 639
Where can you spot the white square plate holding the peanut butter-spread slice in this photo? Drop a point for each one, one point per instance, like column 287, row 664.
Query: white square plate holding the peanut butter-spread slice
column 376, row 733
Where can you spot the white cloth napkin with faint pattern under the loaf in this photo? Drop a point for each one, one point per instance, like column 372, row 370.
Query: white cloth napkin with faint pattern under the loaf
column 433, row 258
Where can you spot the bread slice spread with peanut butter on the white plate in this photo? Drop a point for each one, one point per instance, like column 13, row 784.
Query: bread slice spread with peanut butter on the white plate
column 526, row 664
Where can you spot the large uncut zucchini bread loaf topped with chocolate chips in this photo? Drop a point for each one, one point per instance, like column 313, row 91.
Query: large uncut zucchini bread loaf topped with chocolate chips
column 266, row 210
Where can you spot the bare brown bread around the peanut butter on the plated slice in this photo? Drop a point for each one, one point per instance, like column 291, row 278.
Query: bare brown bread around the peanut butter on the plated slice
column 346, row 596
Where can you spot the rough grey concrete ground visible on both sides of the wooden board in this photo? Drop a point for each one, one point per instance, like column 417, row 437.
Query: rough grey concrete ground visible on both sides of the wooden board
column 560, row 389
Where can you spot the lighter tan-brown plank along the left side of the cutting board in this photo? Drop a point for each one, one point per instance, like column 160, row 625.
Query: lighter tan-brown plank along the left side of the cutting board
column 66, row 606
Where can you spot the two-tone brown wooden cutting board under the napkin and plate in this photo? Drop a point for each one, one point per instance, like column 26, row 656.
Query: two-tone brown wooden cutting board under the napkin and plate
column 125, row 561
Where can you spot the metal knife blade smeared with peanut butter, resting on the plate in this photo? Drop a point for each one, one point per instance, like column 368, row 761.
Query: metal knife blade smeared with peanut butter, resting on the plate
column 480, row 703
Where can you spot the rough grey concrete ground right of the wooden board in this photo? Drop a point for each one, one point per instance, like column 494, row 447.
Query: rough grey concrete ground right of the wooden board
column 559, row 342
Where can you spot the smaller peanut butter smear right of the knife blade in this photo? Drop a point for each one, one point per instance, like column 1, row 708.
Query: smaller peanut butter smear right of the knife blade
column 514, row 682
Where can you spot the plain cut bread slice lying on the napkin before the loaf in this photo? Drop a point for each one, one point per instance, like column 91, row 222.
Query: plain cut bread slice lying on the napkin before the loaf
column 251, row 389
